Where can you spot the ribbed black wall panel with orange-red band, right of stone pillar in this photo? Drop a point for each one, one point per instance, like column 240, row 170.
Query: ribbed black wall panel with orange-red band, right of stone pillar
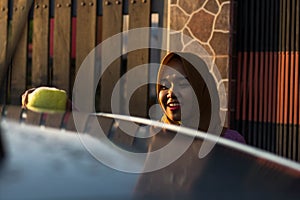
column 267, row 79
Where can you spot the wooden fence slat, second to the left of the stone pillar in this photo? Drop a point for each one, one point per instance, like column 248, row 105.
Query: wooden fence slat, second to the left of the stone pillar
column 112, row 13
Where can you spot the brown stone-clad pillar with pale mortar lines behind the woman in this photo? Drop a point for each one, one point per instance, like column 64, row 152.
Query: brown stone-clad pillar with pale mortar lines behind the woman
column 206, row 23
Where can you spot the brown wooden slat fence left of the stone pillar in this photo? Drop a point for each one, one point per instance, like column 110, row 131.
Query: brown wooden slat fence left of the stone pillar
column 44, row 42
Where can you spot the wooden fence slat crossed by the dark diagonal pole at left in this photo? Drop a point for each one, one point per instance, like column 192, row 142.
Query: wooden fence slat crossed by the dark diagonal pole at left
column 19, row 62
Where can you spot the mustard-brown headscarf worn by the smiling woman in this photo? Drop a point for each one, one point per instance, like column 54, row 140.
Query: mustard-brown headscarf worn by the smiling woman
column 203, row 85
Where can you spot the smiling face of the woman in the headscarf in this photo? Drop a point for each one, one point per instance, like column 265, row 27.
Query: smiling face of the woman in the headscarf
column 176, row 96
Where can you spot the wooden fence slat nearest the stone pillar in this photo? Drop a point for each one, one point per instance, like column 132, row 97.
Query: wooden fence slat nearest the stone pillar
column 139, row 99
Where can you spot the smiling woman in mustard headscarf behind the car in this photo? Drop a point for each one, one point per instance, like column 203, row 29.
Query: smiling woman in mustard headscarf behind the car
column 185, row 93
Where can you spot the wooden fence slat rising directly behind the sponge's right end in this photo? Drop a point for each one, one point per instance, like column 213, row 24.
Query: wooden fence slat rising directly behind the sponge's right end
column 62, row 45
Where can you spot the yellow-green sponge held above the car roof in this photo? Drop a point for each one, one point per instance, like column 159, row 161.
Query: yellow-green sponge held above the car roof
column 47, row 99
